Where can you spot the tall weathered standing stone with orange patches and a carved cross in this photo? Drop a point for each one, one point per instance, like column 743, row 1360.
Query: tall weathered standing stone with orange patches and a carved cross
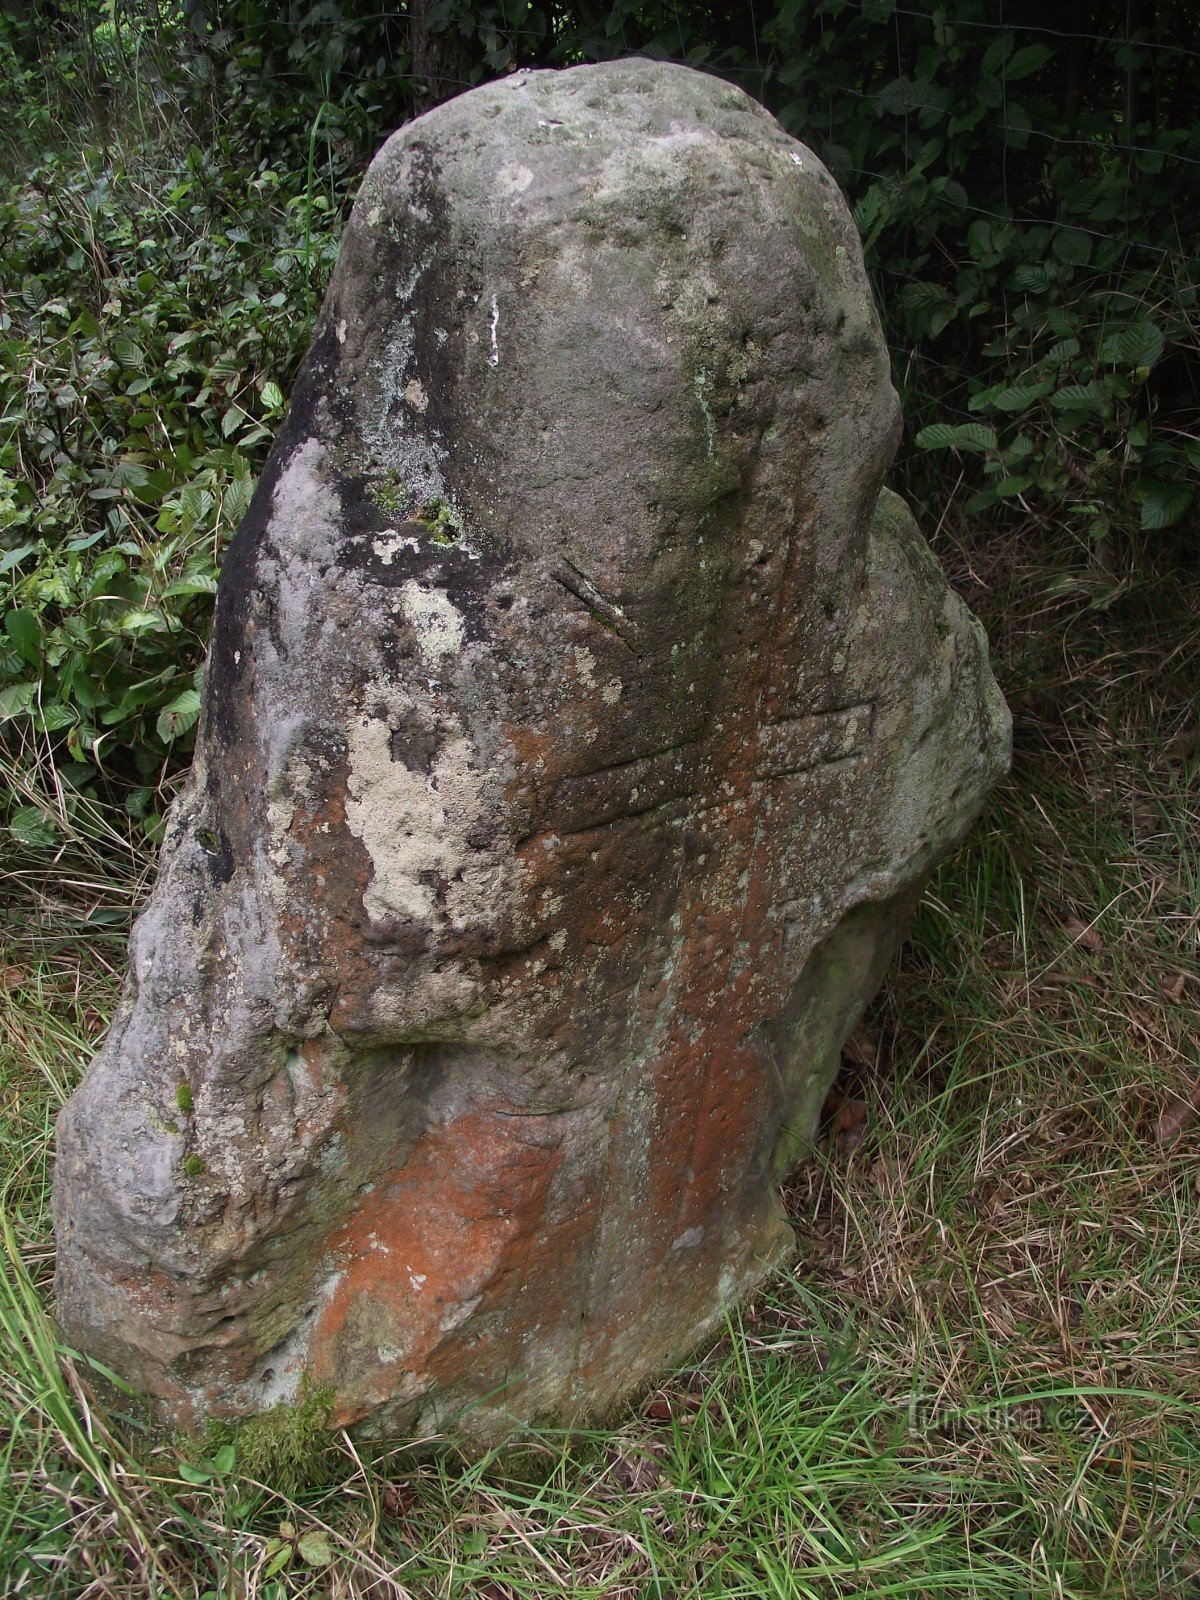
column 582, row 724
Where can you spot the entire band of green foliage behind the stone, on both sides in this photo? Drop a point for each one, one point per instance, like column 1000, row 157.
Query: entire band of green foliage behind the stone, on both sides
column 177, row 178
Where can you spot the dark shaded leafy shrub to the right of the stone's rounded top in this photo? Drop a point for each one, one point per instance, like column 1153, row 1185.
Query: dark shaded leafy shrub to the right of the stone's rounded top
column 1023, row 194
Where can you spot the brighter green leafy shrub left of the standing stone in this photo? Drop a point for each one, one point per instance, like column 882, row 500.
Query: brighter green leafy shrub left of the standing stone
column 154, row 311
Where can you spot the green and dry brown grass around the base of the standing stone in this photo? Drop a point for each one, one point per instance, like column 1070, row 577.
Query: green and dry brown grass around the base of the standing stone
column 980, row 1380
